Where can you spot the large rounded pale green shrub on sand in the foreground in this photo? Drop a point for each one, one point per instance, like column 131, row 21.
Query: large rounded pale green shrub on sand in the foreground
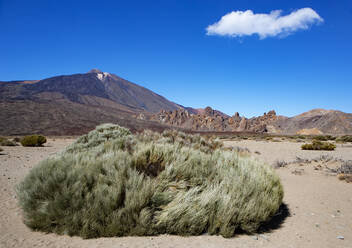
column 112, row 183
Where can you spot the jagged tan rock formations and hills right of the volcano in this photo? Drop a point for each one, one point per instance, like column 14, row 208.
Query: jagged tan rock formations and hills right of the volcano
column 317, row 121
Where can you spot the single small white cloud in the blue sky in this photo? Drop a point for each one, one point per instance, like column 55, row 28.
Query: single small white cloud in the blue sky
column 241, row 23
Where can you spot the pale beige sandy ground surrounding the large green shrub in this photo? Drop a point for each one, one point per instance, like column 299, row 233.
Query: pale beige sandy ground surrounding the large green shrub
column 319, row 207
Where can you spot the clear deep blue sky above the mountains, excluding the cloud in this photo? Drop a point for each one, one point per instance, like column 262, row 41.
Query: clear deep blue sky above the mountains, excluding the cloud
column 163, row 45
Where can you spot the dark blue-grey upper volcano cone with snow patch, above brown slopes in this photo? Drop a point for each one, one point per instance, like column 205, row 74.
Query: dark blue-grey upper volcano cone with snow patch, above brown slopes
column 92, row 88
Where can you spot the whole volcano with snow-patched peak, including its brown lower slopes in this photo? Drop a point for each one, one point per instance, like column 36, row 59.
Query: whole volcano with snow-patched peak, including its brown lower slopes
column 75, row 104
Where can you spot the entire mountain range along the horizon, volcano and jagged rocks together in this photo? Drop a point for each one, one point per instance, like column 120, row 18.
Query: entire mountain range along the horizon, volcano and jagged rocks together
column 75, row 104
